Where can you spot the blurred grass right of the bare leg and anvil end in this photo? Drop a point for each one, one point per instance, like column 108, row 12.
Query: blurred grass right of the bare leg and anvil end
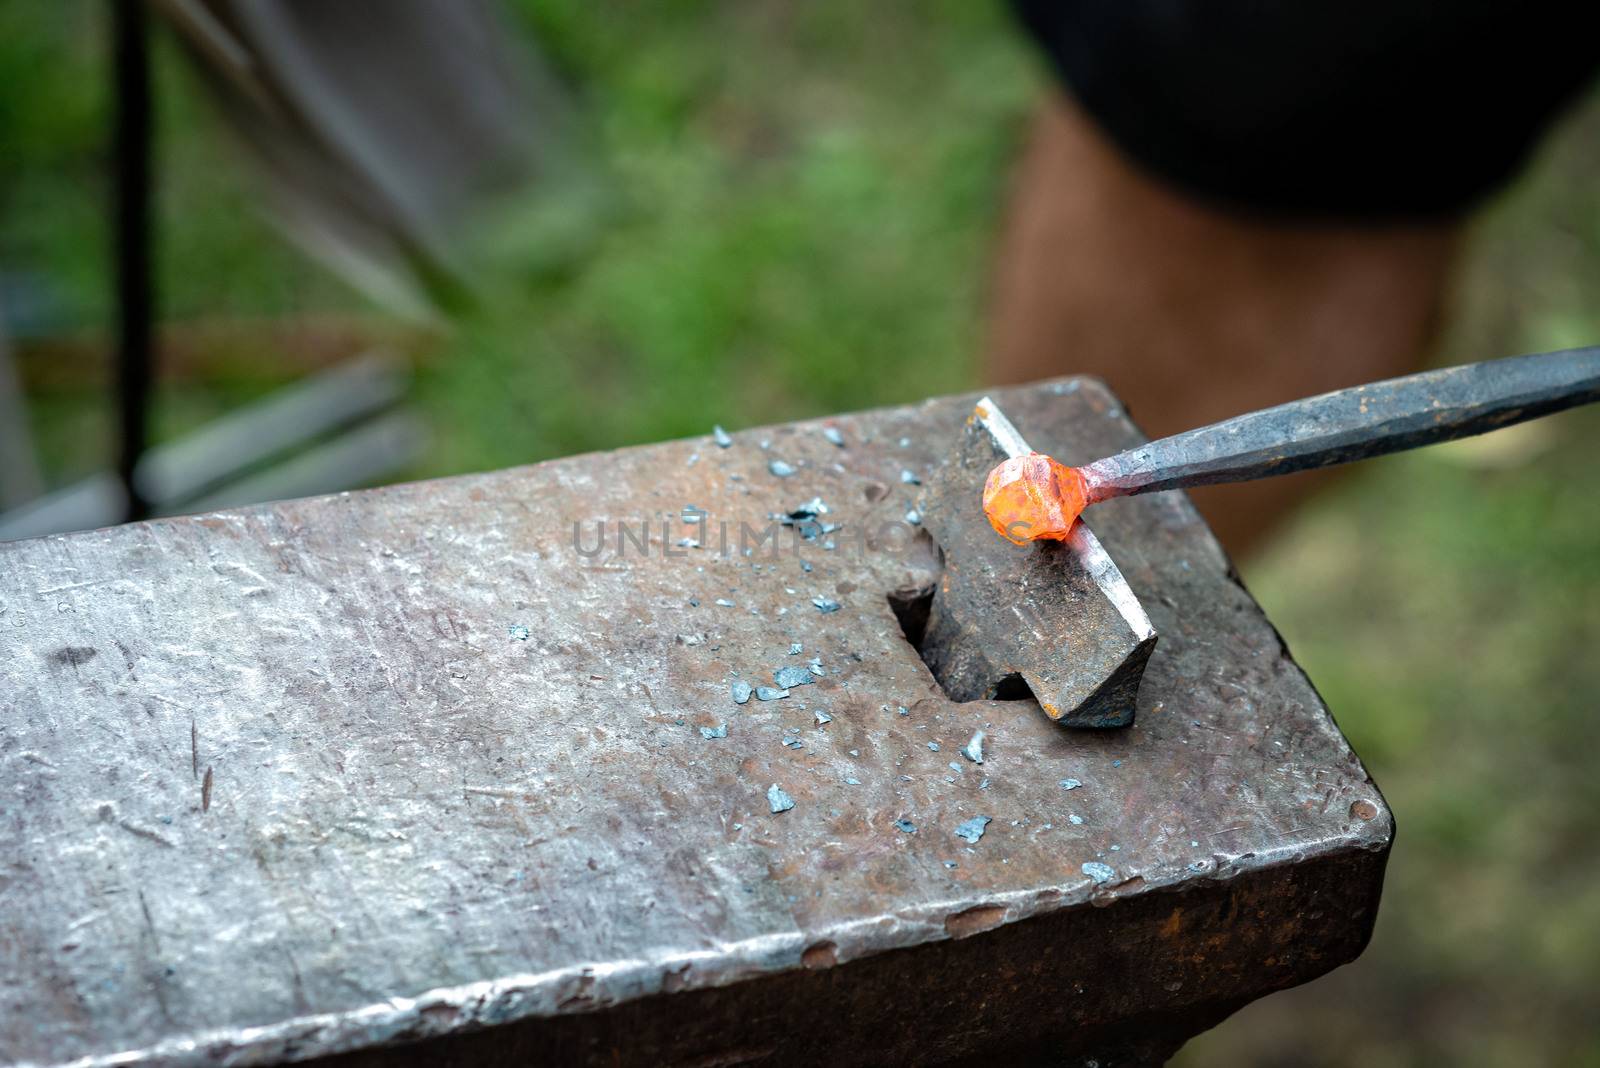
column 1447, row 605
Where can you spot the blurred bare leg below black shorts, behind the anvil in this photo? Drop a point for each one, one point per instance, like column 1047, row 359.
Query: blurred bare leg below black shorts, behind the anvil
column 1194, row 314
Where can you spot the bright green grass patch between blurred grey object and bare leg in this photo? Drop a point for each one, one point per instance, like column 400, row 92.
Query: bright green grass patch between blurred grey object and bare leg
column 793, row 221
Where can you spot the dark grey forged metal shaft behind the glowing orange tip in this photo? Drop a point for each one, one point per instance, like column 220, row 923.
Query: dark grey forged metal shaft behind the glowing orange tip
column 1356, row 424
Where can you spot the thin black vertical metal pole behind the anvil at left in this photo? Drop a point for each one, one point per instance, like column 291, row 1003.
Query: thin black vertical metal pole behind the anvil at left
column 135, row 290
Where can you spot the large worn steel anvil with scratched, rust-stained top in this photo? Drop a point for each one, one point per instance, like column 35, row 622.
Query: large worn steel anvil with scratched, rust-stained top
column 281, row 784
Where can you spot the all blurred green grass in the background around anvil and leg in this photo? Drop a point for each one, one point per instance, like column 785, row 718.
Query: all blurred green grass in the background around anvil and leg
column 796, row 217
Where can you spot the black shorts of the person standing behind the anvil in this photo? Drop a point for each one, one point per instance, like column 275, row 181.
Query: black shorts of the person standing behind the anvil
column 1343, row 110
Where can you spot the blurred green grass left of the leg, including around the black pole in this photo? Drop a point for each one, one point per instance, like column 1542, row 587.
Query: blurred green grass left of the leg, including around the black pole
column 786, row 210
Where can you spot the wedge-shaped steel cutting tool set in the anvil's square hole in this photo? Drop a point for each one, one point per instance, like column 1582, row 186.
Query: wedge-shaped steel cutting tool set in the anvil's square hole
column 1057, row 615
